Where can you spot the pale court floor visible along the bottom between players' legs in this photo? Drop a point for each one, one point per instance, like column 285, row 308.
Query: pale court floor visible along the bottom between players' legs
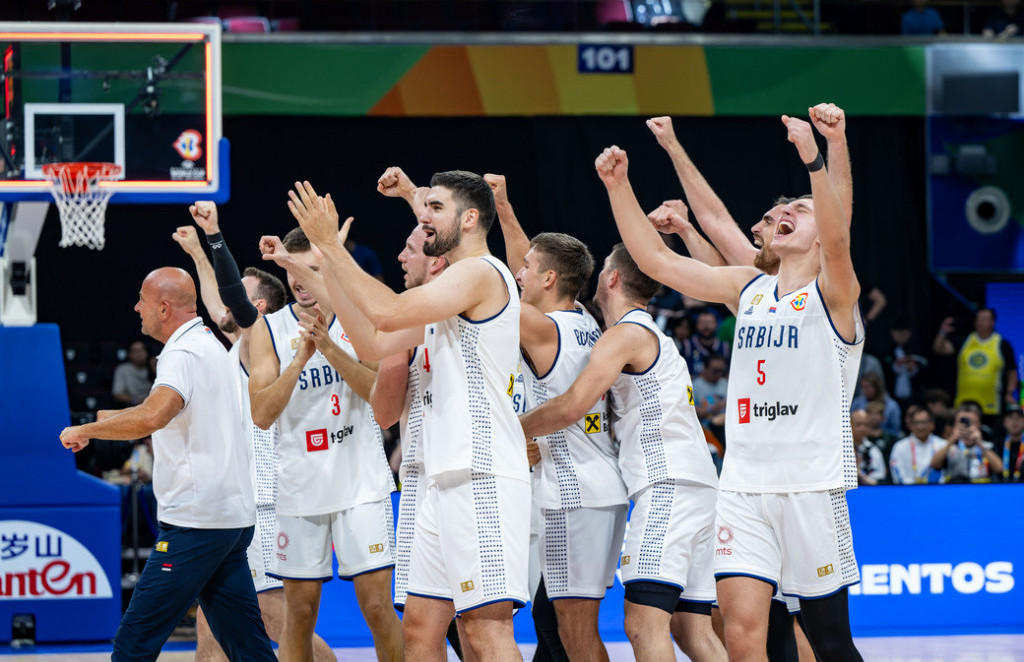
column 994, row 648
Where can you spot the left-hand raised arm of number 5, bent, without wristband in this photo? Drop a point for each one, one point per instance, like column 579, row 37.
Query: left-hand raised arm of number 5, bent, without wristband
column 653, row 257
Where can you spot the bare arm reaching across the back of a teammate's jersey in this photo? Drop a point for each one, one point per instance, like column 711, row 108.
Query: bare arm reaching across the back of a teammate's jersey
column 611, row 354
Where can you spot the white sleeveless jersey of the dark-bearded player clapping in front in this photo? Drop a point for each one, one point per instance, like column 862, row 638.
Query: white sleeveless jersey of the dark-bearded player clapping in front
column 471, row 422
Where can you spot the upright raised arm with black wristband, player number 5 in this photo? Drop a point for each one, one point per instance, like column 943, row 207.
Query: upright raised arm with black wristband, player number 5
column 838, row 280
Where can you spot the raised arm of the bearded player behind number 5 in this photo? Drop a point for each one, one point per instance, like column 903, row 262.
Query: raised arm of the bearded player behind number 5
column 708, row 209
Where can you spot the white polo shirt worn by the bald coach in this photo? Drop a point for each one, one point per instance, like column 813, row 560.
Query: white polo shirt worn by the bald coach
column 201, row 471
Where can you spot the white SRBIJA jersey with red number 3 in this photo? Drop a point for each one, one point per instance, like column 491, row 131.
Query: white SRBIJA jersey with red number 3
column 331, row 454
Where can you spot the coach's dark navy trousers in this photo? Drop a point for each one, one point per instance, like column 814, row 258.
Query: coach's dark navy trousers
column 209, row 564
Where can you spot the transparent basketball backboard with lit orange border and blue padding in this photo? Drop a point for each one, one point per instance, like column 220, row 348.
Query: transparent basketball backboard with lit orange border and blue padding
column 146, row 97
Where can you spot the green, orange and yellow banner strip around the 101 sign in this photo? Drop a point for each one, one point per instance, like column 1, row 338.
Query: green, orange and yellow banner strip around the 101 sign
column 528, row 80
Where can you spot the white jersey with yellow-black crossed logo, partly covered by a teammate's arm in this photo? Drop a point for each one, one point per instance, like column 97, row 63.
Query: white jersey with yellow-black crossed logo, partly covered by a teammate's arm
column 579, row 465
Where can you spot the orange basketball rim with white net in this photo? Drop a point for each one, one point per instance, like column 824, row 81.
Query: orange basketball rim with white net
column 81, row 201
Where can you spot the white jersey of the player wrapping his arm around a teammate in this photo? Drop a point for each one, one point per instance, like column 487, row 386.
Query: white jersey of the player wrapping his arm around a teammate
column 658, row 428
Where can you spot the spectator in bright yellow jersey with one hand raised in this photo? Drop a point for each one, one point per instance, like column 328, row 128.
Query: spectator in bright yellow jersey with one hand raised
column 987, row 373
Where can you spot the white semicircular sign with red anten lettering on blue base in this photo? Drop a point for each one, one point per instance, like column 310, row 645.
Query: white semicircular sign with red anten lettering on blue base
column 42, row 563
